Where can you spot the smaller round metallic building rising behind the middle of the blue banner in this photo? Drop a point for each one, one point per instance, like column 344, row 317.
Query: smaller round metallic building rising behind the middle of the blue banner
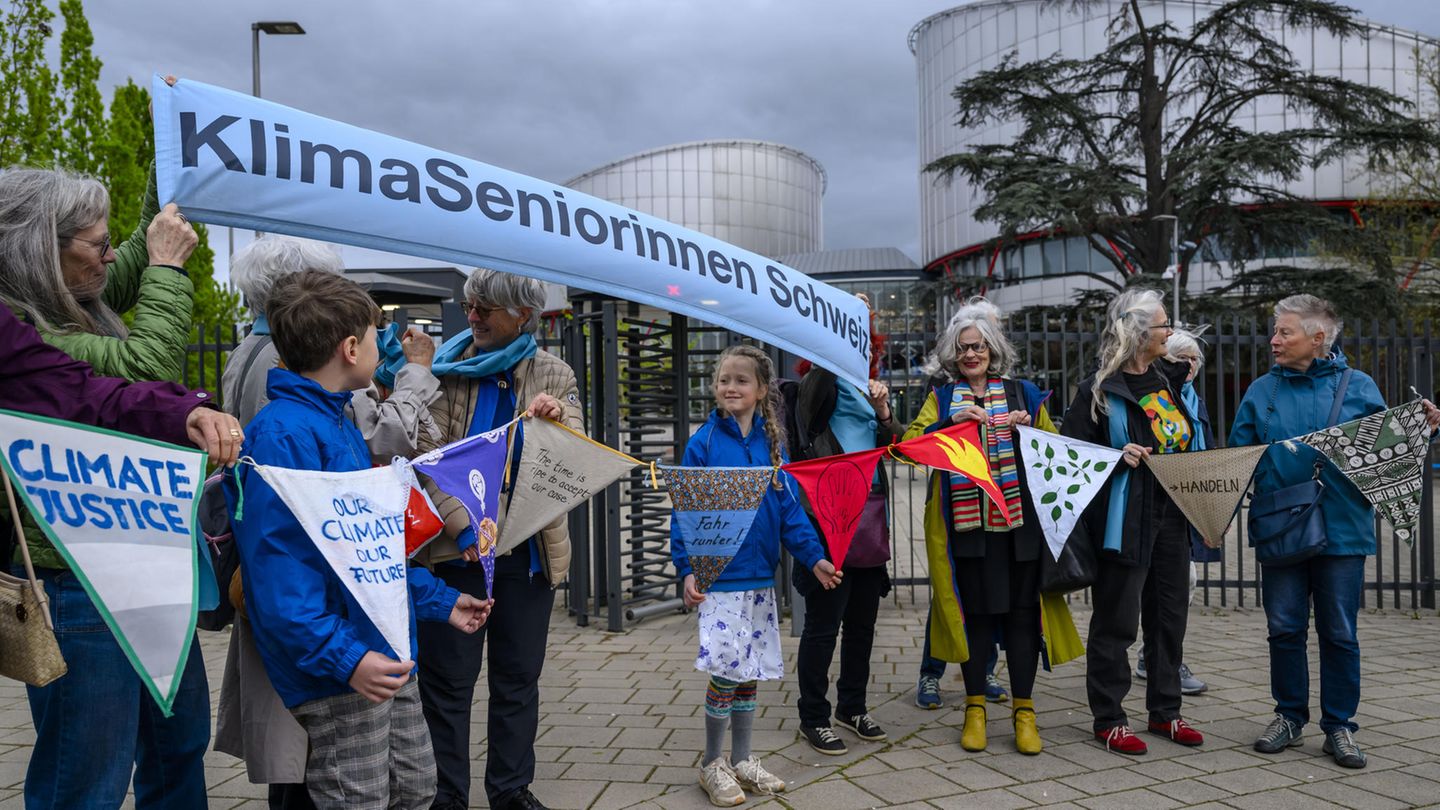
column 761, row 197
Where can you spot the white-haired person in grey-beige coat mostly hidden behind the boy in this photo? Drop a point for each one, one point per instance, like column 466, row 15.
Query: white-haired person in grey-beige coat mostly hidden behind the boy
column 253, row 723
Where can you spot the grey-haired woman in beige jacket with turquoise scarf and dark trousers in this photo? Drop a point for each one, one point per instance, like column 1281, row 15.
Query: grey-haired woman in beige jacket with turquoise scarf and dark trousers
column 486, row 383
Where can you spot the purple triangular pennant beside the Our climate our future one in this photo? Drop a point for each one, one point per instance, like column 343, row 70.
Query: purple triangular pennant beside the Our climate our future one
column 473, row 472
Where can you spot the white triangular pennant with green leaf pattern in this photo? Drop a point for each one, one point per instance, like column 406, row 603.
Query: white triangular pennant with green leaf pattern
column 1063, row 475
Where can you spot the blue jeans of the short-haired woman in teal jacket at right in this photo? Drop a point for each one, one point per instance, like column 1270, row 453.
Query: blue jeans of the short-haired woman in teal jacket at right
column 1336, row 584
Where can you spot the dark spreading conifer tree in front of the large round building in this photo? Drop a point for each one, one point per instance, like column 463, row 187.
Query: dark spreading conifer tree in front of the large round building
column 1150, row 129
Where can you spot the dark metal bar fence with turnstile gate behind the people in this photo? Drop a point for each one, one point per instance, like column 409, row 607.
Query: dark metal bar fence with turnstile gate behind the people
column 644, row 384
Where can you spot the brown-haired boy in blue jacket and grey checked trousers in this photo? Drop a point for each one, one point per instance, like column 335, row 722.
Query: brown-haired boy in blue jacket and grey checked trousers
column 354, row 694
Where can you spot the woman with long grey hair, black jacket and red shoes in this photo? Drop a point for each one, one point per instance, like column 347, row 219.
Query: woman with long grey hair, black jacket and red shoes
column 1134, row 404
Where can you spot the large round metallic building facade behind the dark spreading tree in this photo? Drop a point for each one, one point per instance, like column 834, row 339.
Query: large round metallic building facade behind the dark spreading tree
column 958, row 44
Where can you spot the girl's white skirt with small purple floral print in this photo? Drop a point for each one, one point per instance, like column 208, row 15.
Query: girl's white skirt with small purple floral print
column 741, row 636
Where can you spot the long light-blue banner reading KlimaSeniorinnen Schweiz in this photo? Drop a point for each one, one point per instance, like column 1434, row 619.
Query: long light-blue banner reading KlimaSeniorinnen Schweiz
column 233, row 159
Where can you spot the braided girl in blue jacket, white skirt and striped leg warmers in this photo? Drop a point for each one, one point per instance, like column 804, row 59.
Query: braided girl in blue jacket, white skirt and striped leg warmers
column 739, row 636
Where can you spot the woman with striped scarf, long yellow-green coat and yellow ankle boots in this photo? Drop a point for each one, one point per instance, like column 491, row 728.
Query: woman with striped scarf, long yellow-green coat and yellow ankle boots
column 993, row 567
